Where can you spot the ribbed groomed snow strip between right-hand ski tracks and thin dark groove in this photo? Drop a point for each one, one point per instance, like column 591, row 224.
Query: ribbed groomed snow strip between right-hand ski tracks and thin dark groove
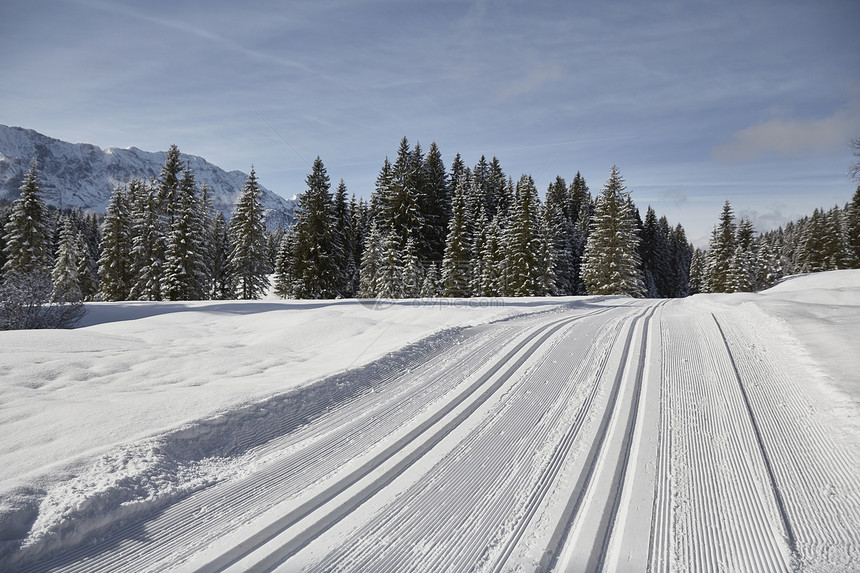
column 723, row 512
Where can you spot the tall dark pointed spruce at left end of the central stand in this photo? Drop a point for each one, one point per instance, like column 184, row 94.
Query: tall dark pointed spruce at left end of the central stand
column 316, row 268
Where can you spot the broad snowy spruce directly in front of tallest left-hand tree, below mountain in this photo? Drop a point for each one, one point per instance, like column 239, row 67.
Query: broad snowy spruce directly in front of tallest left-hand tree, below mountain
column 185, row 272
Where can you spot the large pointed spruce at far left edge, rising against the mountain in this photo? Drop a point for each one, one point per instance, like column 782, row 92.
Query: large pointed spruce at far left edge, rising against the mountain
column 28, row 235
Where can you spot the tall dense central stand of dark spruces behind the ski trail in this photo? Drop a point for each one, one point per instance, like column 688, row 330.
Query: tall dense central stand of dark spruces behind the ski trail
column 471, row 231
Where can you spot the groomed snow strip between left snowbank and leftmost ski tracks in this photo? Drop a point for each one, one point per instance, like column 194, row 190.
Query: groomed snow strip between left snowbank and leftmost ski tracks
column 180, row 526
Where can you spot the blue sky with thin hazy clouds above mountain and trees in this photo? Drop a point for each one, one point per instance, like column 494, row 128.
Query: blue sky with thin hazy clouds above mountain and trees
column 696, row 102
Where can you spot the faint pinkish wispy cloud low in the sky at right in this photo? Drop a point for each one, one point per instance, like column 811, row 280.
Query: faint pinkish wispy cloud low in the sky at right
column 791, row 137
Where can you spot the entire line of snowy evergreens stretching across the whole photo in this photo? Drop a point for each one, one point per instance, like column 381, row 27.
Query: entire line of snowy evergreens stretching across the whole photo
column 426, row 231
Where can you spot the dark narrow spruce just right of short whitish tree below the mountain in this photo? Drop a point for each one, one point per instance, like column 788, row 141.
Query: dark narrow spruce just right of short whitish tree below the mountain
column 115, row 262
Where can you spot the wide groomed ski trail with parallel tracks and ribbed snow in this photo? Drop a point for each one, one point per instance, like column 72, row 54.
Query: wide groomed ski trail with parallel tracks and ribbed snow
column 620, row 435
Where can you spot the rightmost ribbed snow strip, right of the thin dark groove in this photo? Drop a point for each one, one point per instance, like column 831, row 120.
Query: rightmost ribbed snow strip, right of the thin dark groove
column 818, row 474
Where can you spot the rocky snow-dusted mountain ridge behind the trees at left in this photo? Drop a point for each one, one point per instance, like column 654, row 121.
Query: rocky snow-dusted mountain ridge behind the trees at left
column 83, row 175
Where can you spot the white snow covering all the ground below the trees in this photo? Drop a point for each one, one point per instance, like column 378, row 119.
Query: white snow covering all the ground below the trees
column 144, row 403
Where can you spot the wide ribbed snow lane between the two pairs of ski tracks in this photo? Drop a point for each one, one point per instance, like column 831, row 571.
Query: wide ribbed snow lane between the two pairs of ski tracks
column 481, row 492
